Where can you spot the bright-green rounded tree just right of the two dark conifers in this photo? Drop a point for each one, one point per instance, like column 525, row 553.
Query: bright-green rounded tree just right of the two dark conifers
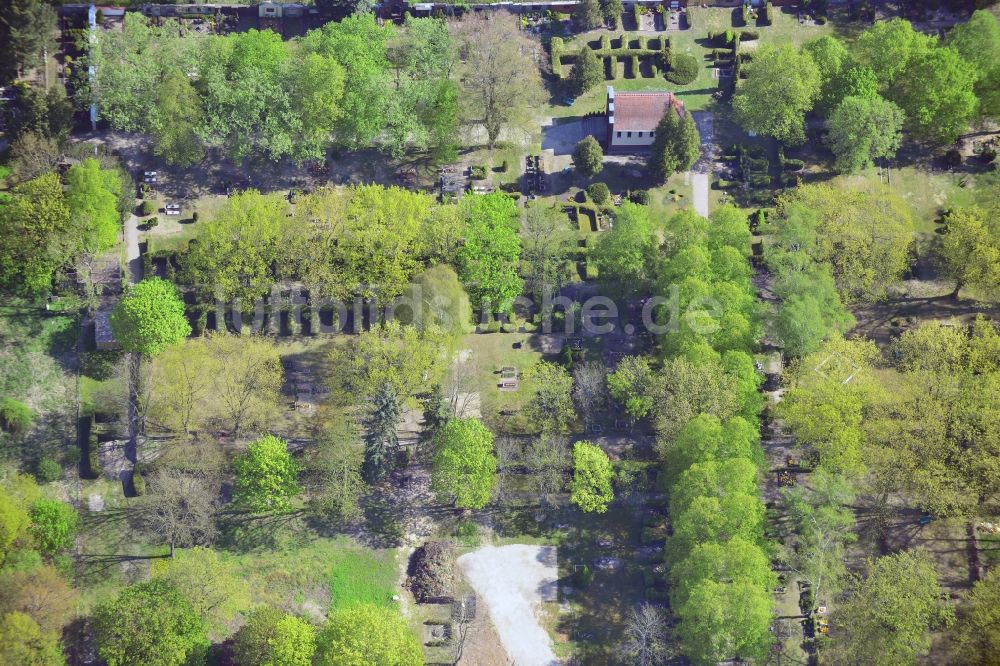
column 465, row 467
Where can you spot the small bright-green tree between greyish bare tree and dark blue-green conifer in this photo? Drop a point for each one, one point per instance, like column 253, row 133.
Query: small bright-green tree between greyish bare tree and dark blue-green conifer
column 266, row 476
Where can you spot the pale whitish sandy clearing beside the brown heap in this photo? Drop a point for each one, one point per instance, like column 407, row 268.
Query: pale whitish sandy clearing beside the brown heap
column 513, row 581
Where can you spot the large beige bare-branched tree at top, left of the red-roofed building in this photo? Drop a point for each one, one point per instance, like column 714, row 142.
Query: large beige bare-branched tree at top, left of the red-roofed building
column 500, row 72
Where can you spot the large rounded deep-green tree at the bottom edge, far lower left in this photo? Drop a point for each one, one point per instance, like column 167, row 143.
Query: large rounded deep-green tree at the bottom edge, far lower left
column 170, row 632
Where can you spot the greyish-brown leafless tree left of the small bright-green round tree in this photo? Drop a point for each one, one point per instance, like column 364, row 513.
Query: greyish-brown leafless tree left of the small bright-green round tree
column 180, row 508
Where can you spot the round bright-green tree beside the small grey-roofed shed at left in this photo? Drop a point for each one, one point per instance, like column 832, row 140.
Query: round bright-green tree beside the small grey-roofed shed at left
column 149, row 317
